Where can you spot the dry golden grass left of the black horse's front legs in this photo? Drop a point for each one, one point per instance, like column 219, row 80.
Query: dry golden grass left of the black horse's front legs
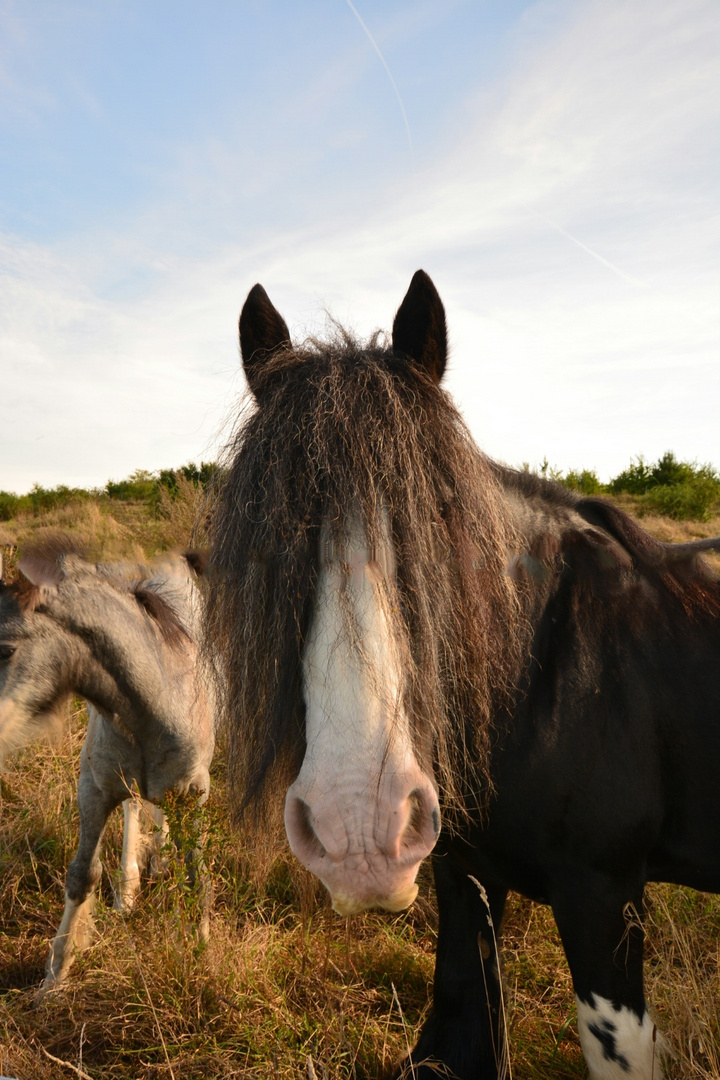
column 281, row 980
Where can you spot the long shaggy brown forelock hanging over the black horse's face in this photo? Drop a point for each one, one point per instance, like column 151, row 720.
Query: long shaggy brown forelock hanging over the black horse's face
column 349, row 436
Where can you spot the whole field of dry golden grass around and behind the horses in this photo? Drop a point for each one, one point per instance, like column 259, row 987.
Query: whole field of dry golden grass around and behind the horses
column 286, row 989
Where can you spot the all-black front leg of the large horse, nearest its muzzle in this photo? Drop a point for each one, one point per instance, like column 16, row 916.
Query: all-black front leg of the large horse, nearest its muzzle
column 464, row 1031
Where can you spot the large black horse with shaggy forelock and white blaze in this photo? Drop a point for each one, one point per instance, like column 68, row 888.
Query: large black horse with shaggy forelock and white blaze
column 428, row 653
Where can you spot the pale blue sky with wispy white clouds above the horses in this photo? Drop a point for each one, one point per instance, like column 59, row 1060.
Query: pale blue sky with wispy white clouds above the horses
column 554, row 166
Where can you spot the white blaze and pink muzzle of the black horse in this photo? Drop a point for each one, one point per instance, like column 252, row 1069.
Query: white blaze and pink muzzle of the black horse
column 362, row 814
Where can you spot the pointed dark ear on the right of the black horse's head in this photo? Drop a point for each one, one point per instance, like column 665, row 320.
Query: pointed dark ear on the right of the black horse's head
column 419, row 329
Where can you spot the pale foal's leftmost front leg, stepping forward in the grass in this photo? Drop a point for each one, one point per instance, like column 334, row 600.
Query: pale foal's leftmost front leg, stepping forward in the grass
column 75, row 931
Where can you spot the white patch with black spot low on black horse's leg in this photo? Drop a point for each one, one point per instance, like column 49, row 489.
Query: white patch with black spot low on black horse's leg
column 618, row 1045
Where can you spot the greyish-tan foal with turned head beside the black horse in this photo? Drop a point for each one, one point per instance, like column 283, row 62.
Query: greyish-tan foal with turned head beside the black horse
column 126, row 639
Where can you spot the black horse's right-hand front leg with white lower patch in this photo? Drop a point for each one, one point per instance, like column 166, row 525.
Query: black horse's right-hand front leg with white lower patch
column 600, row 923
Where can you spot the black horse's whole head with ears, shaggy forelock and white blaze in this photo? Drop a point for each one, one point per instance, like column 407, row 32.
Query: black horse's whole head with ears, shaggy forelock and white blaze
column 351, row 546
